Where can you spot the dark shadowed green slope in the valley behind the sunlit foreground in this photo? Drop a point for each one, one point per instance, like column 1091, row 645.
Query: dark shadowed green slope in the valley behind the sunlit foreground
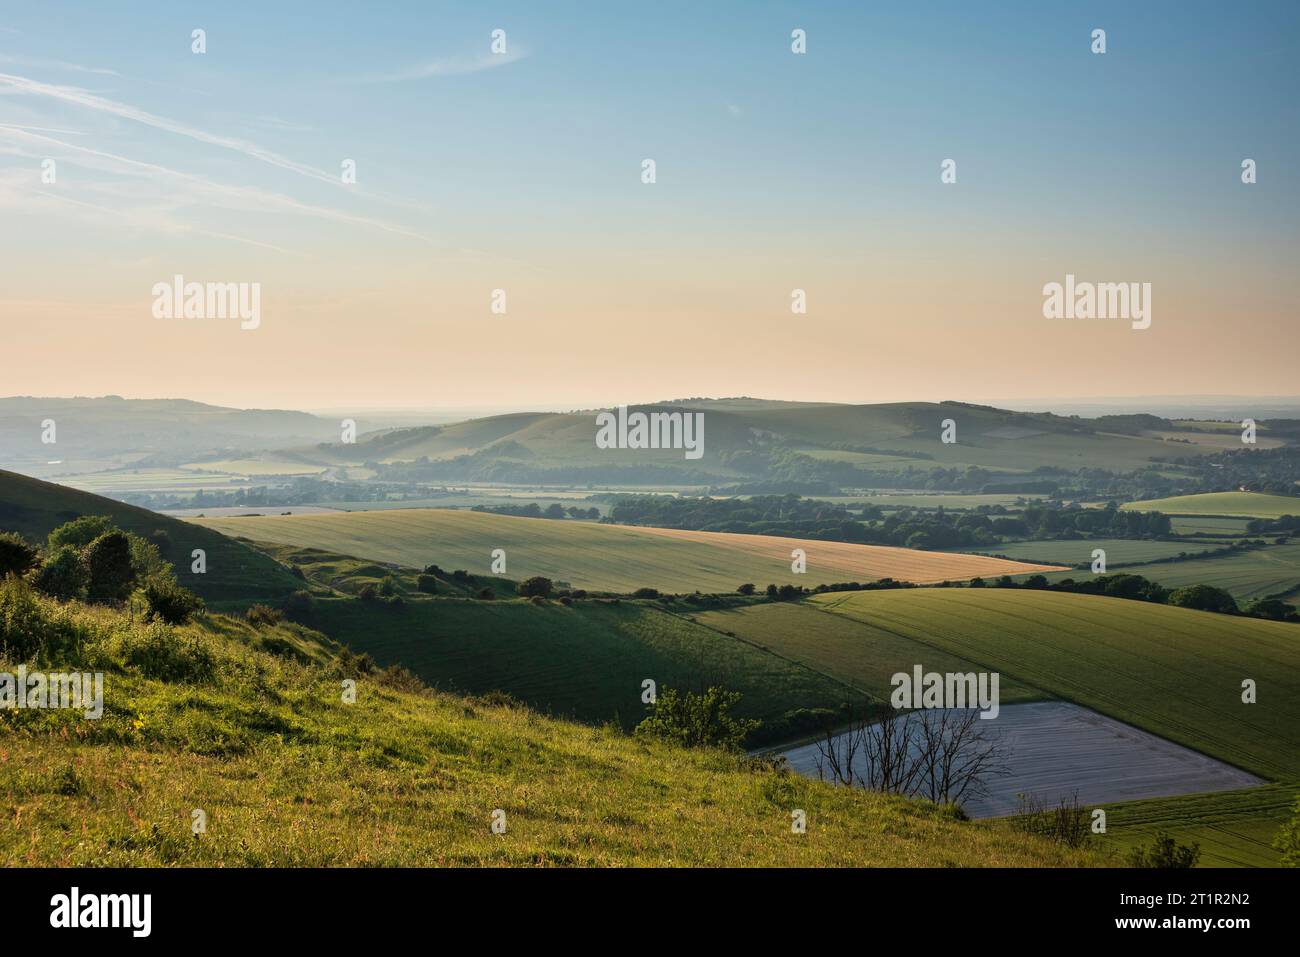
column 586, row 661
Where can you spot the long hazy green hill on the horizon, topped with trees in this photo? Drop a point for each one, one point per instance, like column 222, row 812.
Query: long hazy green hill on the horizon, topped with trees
column 894, row 438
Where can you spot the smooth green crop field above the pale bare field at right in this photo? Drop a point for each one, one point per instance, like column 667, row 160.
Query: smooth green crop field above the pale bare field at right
column 1172, row 672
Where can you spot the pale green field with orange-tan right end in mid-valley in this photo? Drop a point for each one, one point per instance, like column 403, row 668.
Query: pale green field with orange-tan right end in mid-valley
column 614, row 558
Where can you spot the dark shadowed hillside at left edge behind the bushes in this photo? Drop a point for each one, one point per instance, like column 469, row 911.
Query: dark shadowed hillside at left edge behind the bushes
column 236, row 575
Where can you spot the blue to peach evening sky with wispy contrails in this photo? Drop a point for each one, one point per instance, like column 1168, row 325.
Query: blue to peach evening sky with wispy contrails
column 522, row 171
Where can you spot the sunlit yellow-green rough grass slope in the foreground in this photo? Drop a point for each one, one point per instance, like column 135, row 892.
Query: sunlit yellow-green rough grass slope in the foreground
column 288, row 774
